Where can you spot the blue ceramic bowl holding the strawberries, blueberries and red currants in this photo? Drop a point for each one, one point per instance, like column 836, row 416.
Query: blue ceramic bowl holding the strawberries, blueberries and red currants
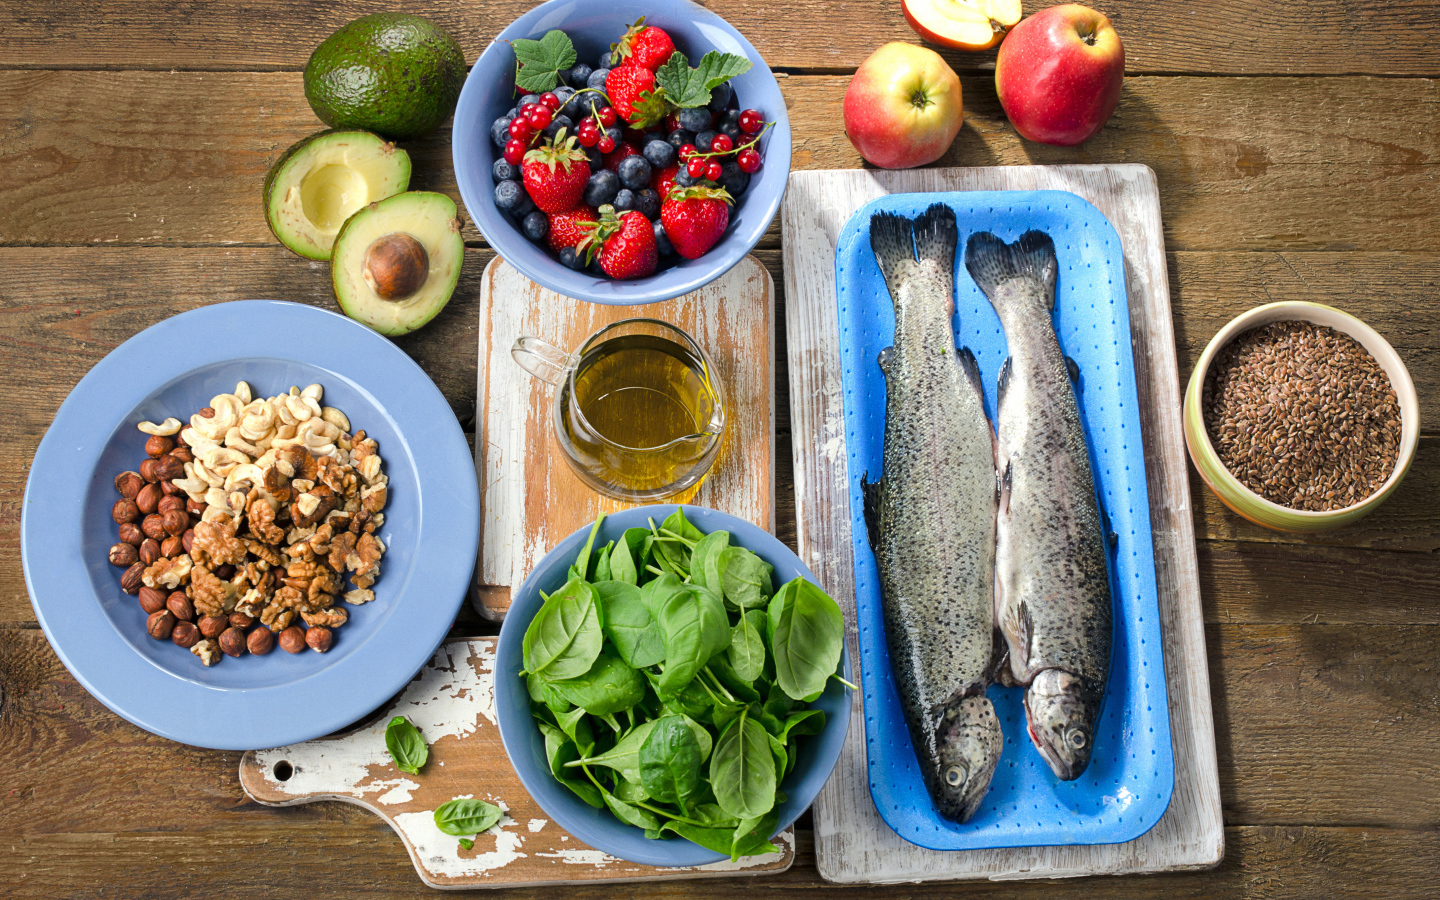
column 593, row 28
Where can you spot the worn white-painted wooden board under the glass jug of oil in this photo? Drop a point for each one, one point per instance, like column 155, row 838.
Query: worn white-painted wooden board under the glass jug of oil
column 529, row 498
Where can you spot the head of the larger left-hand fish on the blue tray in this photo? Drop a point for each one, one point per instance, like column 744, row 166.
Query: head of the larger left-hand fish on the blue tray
column 970, row 744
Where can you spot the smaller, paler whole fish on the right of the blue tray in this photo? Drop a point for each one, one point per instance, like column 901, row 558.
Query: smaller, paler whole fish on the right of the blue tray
column 1052, row 585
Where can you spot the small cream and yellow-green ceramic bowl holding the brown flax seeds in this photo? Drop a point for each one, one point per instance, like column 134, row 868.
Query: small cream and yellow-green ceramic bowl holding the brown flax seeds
column 1229, row 489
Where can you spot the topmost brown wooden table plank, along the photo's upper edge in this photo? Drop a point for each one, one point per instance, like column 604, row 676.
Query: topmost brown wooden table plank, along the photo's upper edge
column 1239, row 37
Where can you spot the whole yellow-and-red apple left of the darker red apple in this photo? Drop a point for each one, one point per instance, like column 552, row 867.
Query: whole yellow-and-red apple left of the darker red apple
column 904, row 107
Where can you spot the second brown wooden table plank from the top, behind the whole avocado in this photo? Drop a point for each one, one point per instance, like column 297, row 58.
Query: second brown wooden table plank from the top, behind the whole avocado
column 1243, row 163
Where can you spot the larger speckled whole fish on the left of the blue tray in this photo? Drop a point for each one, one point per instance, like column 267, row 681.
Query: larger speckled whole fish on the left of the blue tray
column 932, row 518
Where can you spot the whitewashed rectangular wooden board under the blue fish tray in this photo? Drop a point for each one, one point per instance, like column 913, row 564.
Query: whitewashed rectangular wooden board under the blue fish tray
column 852, row 842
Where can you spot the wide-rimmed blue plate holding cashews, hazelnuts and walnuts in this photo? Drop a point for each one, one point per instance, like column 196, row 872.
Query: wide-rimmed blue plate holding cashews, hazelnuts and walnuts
column 174, row 369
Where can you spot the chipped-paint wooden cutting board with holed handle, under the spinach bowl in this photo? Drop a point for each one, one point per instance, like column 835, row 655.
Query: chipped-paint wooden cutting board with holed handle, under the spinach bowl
column 451, row 702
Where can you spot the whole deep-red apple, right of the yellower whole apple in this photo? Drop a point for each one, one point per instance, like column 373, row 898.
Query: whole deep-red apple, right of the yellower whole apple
column 1059, row 74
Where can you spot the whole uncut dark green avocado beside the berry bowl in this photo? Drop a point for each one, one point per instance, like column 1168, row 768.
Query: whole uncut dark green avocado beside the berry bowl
column 394, row 74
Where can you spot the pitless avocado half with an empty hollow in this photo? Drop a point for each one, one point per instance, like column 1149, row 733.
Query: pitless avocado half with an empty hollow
column 320, row 182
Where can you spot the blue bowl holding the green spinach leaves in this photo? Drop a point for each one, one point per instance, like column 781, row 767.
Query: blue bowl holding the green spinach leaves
column 525, row 745
